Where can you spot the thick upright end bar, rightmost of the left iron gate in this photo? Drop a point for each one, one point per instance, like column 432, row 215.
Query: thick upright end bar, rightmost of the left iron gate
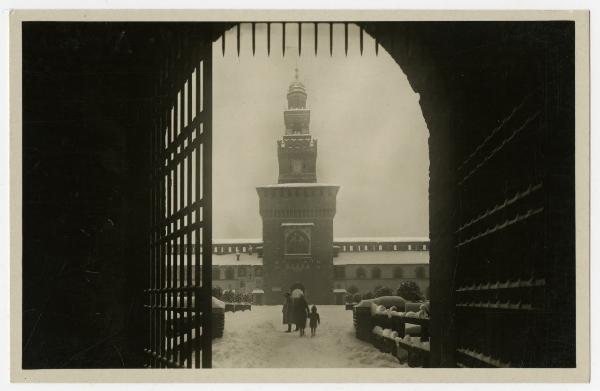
column 207, row 215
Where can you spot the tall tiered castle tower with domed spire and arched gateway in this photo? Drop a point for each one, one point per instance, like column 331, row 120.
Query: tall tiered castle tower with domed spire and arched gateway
column 297, row 213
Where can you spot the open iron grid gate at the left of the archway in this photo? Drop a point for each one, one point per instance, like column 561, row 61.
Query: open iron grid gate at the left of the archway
column 179, row 316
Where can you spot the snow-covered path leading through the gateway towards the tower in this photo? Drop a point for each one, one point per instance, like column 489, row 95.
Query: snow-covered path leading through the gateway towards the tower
column 256, row 339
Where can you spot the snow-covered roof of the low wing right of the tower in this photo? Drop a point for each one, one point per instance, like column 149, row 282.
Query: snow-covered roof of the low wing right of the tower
column 382, row 258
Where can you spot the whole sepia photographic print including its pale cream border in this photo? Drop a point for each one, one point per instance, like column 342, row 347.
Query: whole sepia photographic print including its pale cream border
column 322, row 190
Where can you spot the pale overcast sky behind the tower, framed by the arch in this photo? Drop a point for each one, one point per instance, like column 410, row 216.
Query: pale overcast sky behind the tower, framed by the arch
column 372, row 138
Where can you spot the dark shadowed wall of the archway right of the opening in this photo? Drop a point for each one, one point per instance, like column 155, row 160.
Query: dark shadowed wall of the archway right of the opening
column 498, row 99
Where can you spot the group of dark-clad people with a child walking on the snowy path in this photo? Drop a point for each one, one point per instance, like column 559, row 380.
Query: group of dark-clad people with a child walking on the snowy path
column 296, row 312
